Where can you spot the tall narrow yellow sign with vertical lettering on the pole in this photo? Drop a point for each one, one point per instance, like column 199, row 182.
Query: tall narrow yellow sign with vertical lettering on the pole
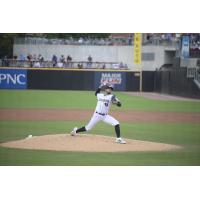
column 137, row 48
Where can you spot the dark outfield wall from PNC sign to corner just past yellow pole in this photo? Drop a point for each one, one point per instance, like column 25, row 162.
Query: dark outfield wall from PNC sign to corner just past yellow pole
column 66, row 79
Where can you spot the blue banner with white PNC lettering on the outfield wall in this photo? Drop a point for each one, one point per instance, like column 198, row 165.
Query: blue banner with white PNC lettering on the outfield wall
column 13, row 78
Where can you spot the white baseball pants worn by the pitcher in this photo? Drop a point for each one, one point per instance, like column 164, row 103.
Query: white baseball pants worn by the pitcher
column 97, row 118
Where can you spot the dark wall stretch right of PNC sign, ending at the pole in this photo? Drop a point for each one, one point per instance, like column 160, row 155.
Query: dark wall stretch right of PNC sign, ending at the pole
column 81, row 80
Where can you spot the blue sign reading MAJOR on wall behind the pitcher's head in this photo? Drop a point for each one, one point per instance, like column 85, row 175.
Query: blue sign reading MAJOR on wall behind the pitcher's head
column 118, row 79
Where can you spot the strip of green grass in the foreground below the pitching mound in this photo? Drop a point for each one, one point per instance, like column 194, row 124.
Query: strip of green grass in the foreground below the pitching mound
column 29, row 157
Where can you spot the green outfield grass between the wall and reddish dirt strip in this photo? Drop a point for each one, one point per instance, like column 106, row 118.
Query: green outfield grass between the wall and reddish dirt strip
column 86, row 100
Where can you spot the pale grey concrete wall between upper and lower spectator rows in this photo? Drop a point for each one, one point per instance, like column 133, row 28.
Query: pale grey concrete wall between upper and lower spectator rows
column 99, row 53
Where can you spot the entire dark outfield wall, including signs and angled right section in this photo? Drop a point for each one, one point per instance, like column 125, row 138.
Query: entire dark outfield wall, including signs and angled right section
column 169, row 81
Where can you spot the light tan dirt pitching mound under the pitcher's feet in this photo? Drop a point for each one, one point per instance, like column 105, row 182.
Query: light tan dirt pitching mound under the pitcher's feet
column 86, row 143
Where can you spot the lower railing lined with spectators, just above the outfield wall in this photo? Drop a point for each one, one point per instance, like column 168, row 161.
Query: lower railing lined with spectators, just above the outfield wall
column 72, row 65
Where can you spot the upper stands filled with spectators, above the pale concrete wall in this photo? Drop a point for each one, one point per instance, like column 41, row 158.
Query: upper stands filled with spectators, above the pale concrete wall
column 114, row 39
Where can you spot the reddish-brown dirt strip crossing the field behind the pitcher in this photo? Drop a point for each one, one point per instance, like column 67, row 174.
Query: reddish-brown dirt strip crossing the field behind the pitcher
column 85, row 115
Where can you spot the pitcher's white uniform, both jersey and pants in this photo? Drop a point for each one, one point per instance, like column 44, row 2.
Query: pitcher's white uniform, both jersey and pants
column 101, row 111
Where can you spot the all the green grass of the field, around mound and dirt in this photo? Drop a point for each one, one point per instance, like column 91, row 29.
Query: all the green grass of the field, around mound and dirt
column 185, row 134
